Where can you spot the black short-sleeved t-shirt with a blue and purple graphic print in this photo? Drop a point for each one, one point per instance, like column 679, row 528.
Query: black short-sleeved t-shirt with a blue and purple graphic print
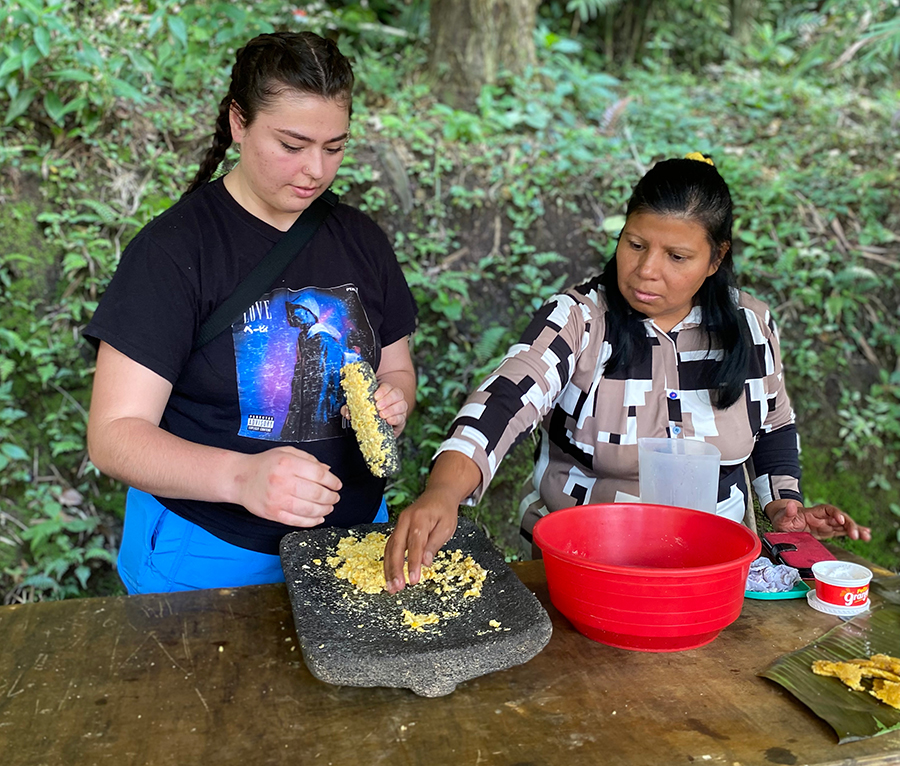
column 275, row 378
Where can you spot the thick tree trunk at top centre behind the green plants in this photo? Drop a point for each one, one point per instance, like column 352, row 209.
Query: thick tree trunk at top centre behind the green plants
column 472, row 41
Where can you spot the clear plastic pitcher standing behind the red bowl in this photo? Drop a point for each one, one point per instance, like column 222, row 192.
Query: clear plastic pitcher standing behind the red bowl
column 679, row 472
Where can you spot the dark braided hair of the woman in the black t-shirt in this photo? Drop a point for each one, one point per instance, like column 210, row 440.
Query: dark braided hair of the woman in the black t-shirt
column 266, row 67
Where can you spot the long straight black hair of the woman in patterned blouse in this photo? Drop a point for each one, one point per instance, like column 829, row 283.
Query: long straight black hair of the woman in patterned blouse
column 692, row 190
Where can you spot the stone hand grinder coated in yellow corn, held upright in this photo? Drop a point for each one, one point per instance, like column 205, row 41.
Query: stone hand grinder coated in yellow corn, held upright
column 374, row 434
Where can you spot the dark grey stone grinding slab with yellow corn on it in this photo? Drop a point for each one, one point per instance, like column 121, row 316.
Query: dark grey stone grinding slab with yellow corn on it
column 350, row 638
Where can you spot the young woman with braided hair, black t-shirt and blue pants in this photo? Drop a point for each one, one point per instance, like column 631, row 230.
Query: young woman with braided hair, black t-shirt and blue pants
column 229, row 446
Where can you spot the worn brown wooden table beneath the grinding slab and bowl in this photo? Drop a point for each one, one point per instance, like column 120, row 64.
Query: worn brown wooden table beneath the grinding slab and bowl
column 216, row 677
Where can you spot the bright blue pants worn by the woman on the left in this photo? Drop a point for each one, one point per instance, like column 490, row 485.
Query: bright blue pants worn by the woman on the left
column 162, row 552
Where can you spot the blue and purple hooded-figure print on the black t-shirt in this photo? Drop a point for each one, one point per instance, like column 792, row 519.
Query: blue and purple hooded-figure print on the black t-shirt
column 289, row 349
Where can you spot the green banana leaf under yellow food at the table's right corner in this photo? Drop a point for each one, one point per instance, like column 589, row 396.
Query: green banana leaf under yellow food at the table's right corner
column 852, row 714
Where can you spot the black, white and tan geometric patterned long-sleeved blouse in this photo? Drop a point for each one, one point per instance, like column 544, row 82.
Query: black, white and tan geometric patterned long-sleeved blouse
column 590, row 422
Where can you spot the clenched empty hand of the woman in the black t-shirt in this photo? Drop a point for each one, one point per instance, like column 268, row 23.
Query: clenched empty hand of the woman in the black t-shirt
column 286, row 485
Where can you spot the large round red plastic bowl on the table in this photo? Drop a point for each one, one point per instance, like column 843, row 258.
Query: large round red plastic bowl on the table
column 653, row 578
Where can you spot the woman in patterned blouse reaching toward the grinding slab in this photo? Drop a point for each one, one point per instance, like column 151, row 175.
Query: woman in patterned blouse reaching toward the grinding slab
column 661, row 344
